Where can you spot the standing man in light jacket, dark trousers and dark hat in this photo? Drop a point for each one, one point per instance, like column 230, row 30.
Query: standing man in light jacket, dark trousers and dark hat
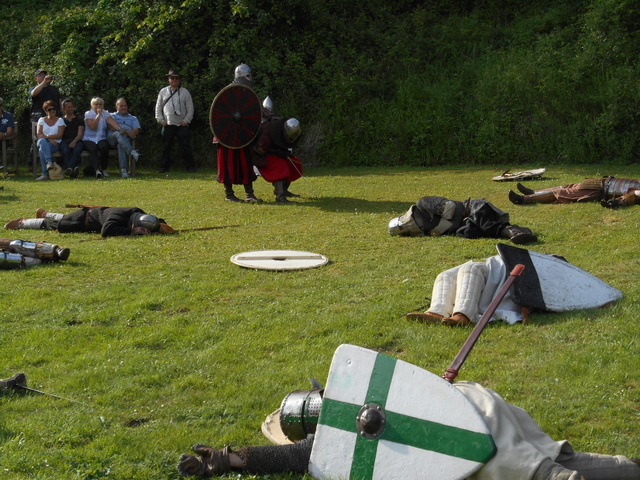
column 174, row 111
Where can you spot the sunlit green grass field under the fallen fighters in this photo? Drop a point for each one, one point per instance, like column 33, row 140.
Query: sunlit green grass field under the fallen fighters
column 166, row 343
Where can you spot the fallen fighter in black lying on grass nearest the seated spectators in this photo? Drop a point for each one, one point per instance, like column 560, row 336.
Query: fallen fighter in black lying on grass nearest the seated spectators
column 108, row 221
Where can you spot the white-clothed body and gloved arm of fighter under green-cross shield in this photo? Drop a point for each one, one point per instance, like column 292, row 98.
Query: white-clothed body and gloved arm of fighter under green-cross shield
column 524, row 451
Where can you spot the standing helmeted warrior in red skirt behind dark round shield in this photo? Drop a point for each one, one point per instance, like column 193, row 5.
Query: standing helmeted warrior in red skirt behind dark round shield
column 234, row 164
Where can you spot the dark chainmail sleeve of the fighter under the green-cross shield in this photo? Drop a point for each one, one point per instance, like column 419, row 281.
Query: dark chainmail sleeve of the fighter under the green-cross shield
column 277, row 459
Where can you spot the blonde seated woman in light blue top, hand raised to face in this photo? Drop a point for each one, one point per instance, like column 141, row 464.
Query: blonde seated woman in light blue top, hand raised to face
column 95, row 136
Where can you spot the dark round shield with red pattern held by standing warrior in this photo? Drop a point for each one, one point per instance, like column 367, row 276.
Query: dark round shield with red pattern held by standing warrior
column 235, row 116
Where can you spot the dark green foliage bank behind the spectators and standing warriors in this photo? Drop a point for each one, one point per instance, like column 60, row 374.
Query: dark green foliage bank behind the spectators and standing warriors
column 373, row 82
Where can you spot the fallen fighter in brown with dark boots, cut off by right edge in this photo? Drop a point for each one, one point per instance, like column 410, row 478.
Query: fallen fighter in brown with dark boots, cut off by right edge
column 611, row 192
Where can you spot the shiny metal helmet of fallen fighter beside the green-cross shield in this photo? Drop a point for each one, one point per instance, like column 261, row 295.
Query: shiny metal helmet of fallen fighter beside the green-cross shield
column 299, row 413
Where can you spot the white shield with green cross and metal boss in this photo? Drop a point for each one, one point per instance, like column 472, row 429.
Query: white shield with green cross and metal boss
column 427, row 428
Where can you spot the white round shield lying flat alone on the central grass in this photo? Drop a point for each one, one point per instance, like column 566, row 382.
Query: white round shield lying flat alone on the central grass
column 279, row 260
